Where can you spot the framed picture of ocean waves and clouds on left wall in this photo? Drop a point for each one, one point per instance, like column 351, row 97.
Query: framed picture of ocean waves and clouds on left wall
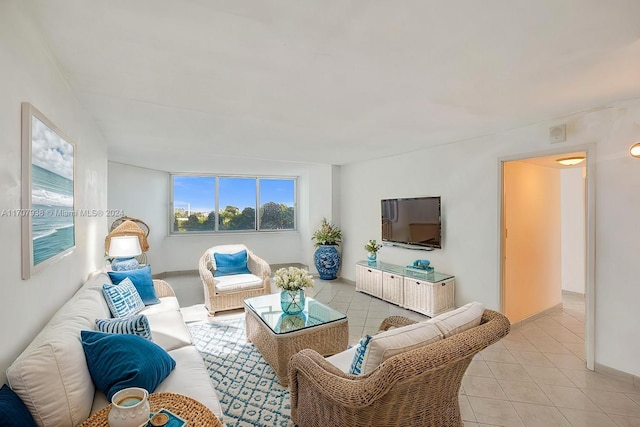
column 48, row 178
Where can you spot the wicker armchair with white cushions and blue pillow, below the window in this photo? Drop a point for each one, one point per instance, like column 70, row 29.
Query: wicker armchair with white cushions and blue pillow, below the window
column 218, row 299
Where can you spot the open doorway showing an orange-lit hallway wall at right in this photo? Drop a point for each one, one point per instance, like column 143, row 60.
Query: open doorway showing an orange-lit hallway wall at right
column 547, row 237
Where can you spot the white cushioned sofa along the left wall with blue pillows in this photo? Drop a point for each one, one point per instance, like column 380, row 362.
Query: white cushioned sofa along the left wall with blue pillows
column 51, row 375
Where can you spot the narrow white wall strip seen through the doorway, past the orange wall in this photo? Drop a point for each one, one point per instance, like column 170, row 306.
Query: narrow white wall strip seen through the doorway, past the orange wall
column 572, row 189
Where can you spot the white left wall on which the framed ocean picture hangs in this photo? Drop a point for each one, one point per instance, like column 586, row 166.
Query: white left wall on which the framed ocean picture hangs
column 28, row 74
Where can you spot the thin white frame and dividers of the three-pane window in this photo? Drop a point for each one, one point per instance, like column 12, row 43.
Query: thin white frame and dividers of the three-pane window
column 217, row 177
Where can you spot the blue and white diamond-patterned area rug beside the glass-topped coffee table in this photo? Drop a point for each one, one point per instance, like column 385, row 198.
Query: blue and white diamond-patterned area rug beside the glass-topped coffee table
column 251, row 394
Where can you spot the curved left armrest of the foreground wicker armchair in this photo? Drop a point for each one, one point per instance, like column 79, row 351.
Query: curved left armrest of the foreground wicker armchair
column 331, row 384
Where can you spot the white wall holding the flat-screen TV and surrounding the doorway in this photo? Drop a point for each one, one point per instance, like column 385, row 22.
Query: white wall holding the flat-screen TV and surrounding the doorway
column 466, row 175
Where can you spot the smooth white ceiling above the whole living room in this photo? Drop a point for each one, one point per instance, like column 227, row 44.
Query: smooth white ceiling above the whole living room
column 333, row 81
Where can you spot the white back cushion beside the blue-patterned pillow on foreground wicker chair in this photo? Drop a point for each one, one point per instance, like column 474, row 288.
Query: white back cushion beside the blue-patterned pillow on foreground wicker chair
column 398, row 340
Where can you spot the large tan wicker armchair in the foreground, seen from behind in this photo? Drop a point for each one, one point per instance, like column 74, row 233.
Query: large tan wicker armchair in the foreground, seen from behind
column 416, row 388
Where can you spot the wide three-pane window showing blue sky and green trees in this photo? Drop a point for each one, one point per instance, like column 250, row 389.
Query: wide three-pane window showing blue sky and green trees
column 207, row 203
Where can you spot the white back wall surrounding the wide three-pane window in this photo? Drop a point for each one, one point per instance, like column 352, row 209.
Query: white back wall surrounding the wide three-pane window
column 144, row 193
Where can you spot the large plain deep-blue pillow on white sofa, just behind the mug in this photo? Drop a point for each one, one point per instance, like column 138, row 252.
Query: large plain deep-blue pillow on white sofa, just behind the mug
column 119, row 361
